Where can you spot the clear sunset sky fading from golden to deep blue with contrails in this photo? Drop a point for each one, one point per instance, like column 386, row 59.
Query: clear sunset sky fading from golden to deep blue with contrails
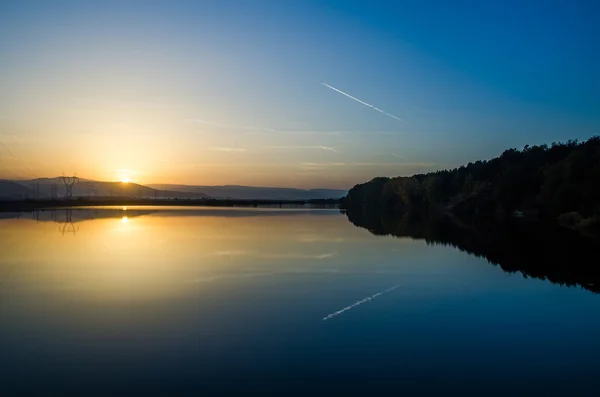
column 307, row 94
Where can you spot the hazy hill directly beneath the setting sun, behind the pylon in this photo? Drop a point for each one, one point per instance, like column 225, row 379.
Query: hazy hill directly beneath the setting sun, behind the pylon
column 87, row 188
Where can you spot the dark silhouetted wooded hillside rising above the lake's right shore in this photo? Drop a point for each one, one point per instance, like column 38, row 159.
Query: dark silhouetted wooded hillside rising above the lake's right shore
column 560, row 181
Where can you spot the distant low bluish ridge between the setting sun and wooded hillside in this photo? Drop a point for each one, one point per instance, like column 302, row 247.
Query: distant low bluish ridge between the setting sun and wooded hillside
column 255, row 193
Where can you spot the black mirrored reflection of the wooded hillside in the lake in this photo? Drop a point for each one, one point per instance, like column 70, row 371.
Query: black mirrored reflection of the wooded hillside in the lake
column 539, row 250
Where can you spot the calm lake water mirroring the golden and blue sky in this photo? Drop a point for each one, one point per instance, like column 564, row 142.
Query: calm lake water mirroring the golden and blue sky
column 138, row 302
